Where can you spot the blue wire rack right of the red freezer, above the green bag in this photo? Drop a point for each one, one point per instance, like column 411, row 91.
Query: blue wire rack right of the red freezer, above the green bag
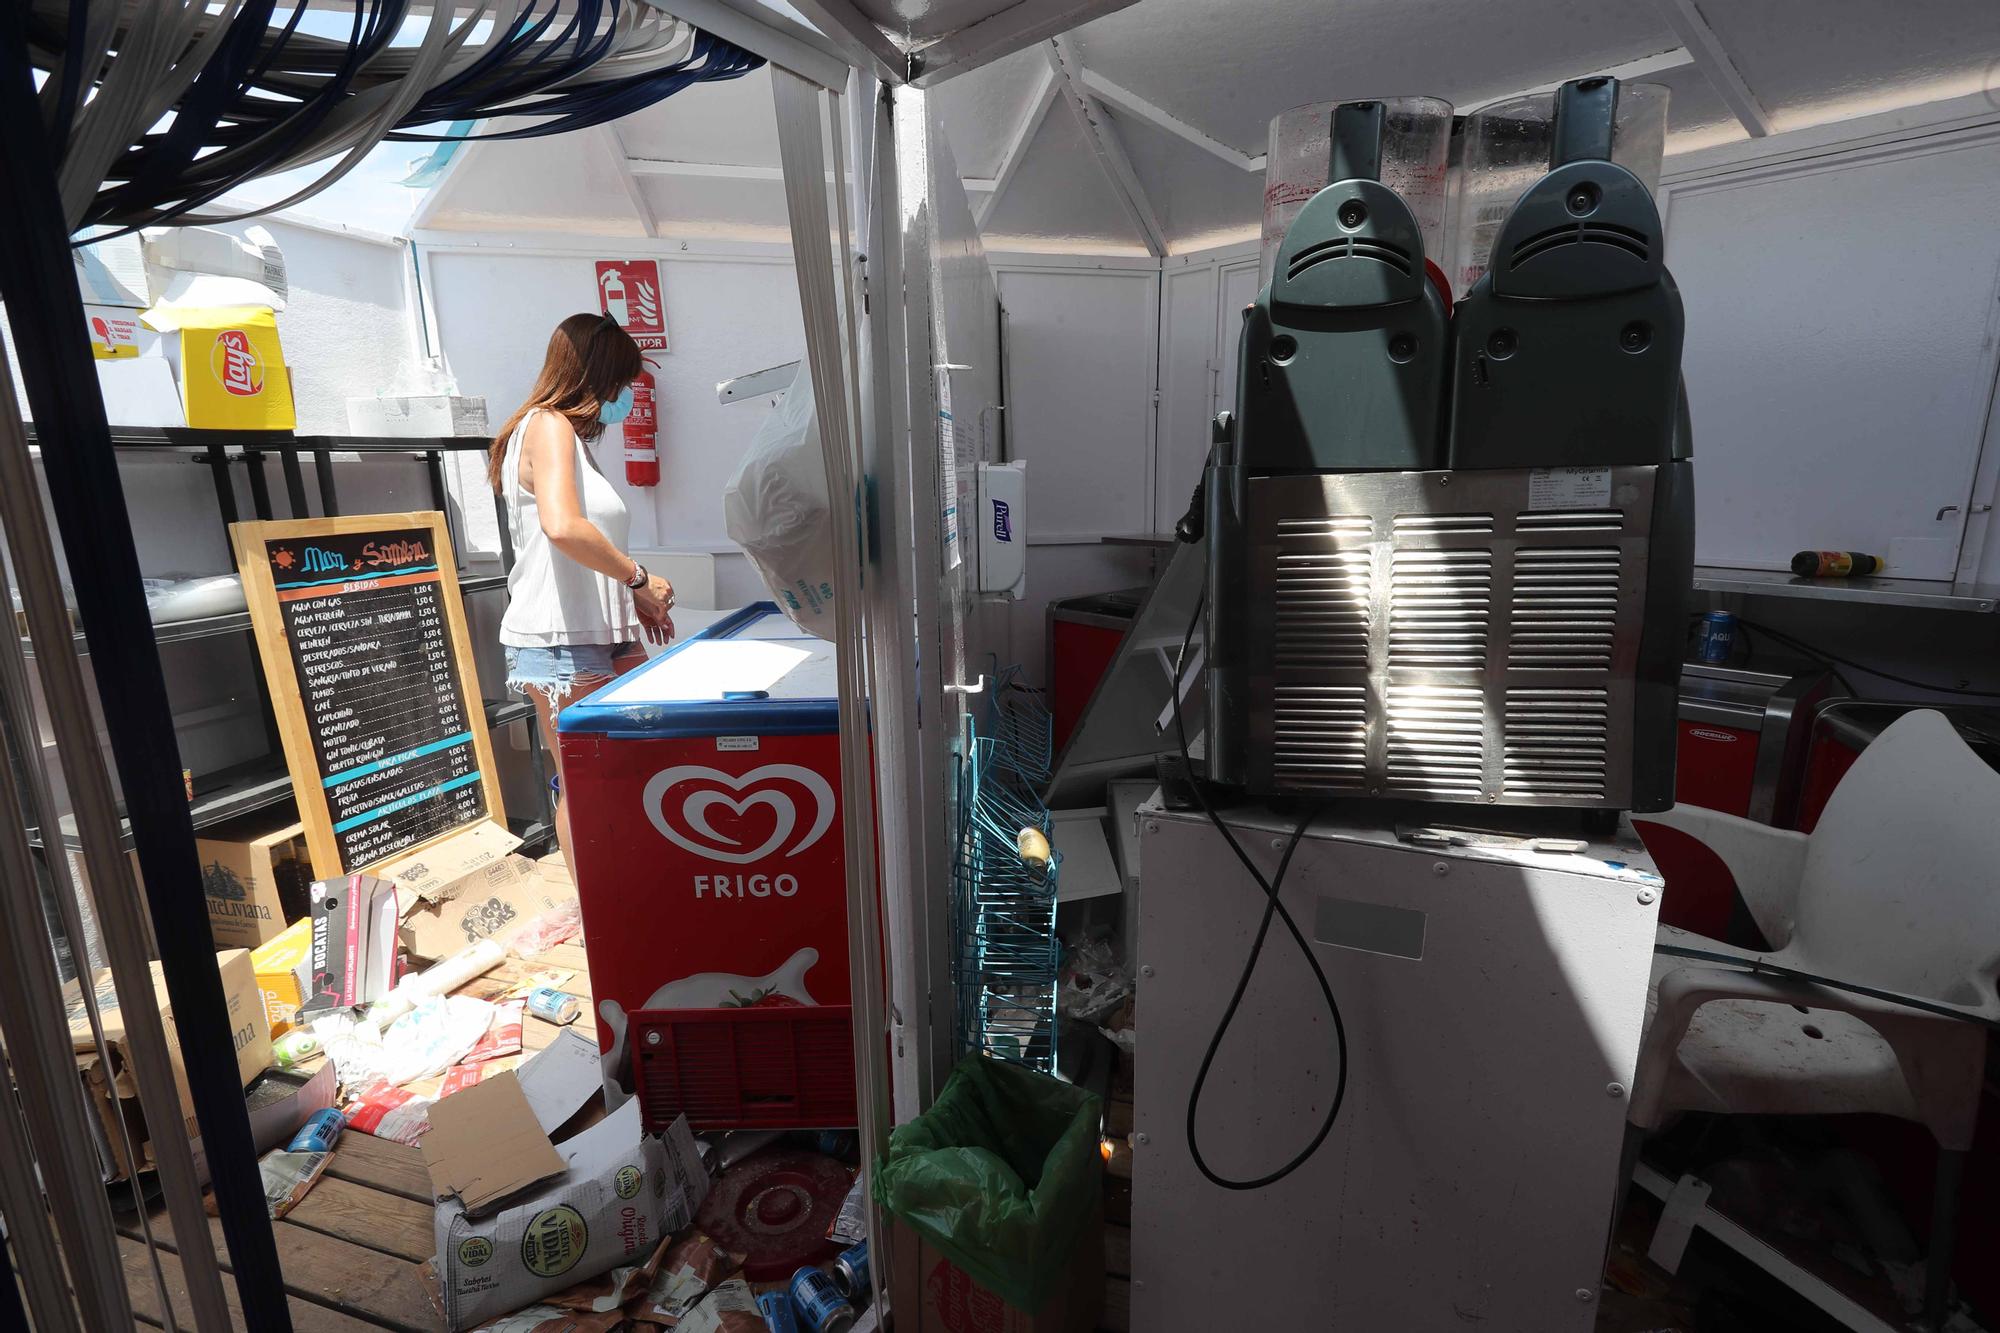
column 1005, row 954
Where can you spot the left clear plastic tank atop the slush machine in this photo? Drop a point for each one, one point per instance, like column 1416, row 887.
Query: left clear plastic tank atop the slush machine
column 1415, row 139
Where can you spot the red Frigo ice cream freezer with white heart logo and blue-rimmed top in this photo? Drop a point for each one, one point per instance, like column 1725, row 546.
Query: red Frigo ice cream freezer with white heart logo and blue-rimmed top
column 705, row 818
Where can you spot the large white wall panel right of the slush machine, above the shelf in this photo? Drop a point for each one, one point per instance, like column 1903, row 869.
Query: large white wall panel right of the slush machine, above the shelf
column 1841, row 353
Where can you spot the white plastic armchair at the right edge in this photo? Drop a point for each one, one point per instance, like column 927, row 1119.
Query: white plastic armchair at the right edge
column 1897, row 890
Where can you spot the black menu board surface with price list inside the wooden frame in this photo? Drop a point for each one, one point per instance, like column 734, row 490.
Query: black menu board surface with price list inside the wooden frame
column 389, row 714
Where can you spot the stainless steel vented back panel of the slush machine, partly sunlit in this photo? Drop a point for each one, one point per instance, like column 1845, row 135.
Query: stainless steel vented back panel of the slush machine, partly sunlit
column 1431, row 635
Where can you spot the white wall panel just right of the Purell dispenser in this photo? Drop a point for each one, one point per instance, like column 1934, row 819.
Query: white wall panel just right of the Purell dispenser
column 1081, row 373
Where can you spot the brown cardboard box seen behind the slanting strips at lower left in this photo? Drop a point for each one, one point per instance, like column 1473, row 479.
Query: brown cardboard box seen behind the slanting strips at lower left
column 113, row 1088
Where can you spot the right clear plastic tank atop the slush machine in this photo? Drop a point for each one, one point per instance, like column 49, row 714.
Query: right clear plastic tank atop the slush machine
column 1503, row 149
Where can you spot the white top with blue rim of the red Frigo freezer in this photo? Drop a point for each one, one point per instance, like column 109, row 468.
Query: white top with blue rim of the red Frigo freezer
column 743, row 676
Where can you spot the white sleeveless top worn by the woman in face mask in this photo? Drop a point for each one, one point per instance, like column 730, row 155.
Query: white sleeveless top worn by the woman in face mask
column 551, row 597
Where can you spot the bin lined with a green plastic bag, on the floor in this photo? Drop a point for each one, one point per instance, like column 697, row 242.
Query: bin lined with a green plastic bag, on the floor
column 997, row 1206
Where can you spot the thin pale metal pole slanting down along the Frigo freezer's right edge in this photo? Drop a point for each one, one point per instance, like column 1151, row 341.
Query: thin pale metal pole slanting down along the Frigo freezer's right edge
column 805, row 195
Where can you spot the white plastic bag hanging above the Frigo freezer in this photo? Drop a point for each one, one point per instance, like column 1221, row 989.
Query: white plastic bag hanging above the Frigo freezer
column 777, row 509
